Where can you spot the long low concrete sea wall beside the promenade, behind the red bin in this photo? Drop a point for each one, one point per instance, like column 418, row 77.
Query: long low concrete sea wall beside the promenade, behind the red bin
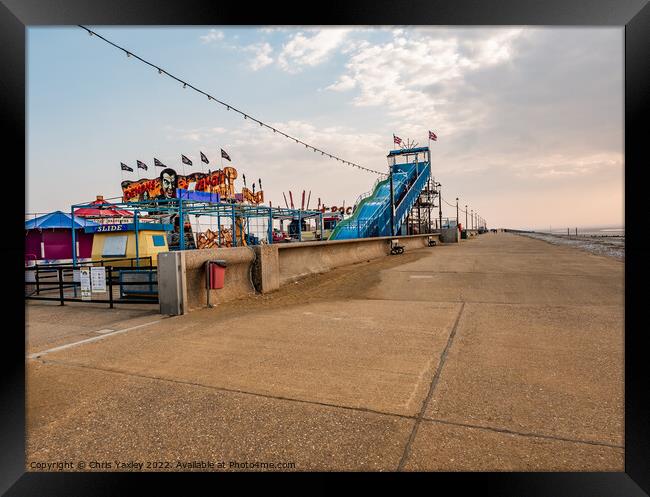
column 265, row 268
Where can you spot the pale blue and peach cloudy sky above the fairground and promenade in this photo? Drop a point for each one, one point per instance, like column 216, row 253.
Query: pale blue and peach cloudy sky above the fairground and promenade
column 529, row 120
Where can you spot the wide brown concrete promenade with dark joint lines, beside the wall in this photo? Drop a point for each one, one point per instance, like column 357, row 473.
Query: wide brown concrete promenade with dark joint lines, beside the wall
column 501, row 353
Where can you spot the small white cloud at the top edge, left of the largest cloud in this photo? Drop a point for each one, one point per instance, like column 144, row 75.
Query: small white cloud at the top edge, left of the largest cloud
column 302, row 50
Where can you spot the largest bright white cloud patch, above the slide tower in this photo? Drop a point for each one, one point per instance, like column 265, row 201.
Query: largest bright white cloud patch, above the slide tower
column 399, row 74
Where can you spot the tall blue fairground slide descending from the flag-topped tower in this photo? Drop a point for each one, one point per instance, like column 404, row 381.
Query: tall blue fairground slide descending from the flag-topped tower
column 372, row 214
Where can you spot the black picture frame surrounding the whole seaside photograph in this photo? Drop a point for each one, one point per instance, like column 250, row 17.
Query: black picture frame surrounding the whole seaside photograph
column 634, row 15
